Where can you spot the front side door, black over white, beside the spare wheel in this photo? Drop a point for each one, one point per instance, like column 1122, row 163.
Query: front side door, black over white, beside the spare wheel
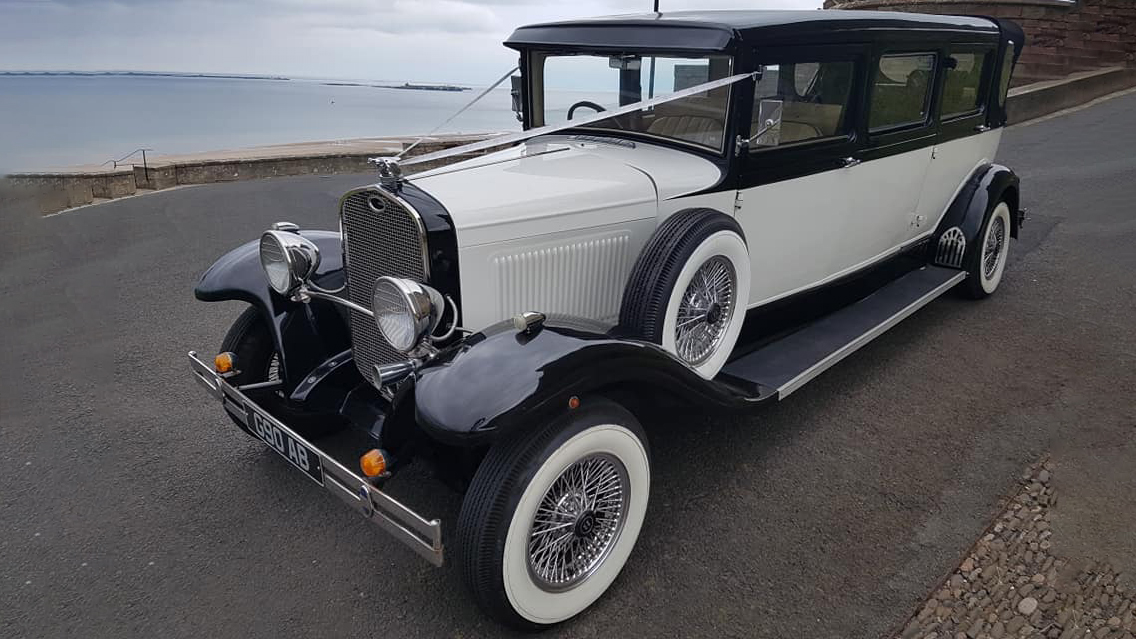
column 793, row 180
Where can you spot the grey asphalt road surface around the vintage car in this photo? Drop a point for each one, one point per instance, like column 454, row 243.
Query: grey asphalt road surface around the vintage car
column 131, row 508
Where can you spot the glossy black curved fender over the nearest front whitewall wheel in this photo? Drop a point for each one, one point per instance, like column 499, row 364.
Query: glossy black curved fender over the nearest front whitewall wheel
column 502, row 380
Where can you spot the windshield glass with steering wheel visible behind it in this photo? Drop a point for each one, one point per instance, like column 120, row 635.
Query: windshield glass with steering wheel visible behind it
column 579, row 86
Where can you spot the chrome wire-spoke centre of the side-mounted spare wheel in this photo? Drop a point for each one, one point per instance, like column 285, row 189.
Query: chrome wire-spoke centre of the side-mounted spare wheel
column 705, row 311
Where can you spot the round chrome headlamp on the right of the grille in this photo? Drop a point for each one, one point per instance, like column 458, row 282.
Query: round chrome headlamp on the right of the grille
column 406, row 311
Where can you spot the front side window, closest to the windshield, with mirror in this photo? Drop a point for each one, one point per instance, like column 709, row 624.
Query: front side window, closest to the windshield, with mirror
column 800, row 102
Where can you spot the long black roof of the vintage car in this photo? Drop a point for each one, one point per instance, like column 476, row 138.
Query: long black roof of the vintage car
column 722, row 31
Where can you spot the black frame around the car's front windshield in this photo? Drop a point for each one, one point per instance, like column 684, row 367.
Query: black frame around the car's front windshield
column 533, row 70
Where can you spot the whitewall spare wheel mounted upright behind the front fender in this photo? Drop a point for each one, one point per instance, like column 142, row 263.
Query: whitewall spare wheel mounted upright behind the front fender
column 689, row 292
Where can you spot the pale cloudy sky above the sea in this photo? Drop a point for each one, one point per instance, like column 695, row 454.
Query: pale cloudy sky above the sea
column 427, row 40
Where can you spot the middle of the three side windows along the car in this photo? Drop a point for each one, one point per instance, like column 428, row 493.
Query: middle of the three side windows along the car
column 901, row 90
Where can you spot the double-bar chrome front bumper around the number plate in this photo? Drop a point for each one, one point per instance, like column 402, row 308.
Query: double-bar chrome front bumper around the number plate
column 422, row 536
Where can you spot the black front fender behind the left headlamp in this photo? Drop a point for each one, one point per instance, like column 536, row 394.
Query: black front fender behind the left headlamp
column 306, row 335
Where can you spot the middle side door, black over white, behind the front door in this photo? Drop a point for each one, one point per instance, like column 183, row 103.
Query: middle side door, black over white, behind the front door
column 890, row 171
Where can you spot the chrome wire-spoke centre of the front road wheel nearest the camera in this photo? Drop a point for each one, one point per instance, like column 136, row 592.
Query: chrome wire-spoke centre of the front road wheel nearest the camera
column 578, row 522
